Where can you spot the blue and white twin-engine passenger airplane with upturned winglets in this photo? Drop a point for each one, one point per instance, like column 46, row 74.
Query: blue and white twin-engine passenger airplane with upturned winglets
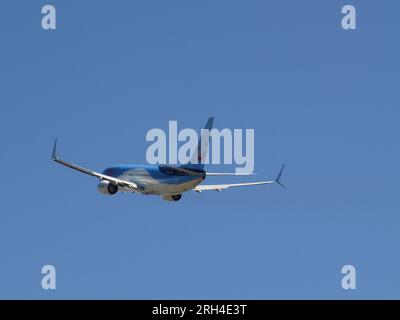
column 166, row 181
